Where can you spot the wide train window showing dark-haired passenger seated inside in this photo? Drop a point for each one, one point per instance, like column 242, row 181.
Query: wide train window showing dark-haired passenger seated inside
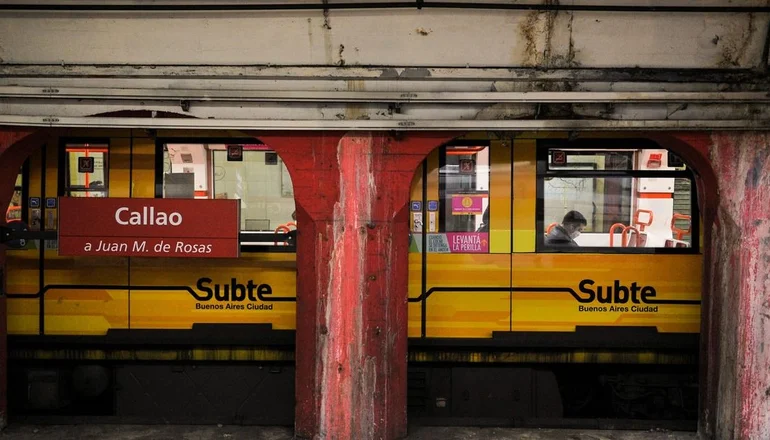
column 629, row 200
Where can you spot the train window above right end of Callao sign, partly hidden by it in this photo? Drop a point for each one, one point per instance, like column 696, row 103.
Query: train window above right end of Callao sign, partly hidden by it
column 257, row 177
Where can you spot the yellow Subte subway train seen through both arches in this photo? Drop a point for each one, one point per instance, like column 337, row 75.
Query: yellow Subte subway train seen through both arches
column 553, row 281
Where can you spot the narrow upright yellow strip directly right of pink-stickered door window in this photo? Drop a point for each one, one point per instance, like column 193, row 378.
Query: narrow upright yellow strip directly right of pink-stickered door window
column 500, row 198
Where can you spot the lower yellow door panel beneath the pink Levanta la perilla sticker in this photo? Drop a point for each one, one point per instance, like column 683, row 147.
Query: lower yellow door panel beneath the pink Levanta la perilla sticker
column 468, row 314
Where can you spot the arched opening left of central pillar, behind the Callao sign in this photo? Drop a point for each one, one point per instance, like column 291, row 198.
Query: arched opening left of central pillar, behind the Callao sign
column 127, row 337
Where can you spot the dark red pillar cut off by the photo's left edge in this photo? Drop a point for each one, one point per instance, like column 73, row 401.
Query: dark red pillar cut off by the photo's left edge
column 15, row 147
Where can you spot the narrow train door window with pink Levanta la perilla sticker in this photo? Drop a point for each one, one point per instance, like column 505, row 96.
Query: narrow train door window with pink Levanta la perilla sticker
column 464, row 175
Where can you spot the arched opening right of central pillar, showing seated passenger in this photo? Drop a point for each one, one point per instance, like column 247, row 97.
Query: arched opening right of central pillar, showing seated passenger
column 498, row 311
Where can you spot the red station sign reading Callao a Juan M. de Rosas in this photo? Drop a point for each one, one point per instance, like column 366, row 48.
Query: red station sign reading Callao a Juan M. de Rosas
column 186, row 228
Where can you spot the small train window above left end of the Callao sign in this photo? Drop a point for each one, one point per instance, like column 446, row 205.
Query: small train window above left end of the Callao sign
column 86, row 170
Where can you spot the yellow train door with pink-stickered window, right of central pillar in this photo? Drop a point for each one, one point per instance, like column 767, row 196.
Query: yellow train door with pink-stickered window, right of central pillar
column 460, row 262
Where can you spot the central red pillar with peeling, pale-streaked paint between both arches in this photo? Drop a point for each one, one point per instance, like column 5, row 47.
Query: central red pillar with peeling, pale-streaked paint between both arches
column 352, row 193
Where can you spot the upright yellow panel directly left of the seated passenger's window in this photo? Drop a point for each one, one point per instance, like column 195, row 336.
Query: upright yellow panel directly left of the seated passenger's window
column 524, row 195
